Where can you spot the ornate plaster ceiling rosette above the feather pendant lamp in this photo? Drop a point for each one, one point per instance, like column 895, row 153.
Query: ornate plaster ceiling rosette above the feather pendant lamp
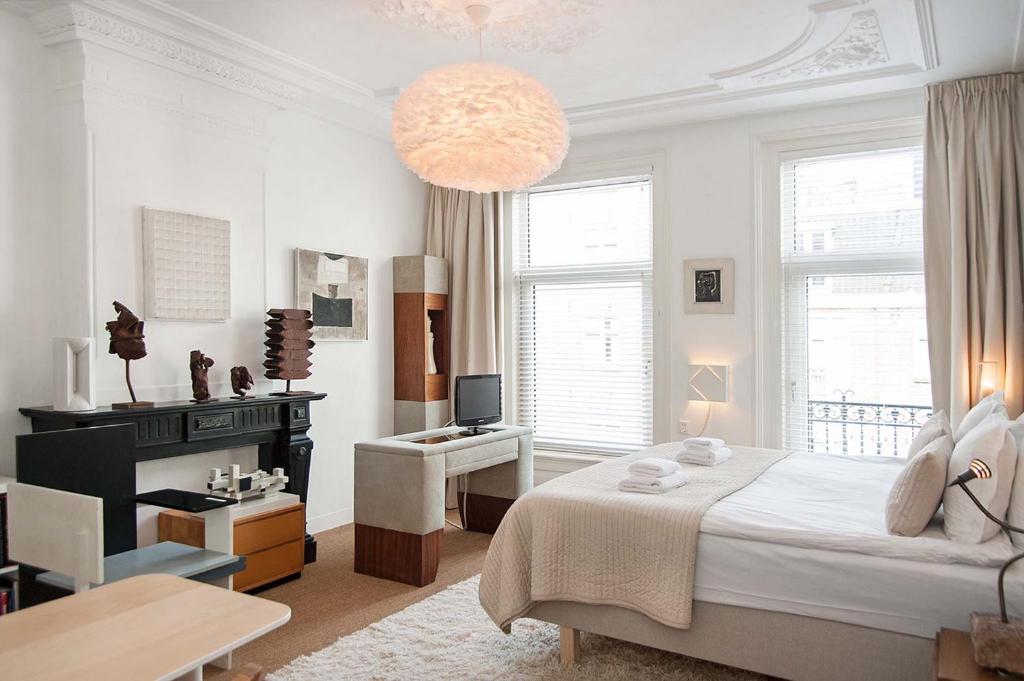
column 525, row 26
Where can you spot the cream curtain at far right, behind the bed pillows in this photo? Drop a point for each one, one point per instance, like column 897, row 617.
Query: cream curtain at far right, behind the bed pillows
column 974, row 193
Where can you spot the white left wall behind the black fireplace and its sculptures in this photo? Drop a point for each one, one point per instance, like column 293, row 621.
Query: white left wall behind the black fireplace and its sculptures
column 139, row 135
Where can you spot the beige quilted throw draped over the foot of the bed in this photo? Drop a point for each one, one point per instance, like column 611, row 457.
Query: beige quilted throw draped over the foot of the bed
column 579, row 539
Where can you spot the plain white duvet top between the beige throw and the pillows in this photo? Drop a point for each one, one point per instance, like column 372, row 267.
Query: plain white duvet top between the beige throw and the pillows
column 837, row 504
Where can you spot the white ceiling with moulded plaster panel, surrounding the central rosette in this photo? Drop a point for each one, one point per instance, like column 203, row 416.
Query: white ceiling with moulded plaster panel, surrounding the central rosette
column 646, row 62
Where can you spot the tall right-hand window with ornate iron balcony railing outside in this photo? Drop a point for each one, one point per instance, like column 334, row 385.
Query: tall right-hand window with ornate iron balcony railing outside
column 855, row 336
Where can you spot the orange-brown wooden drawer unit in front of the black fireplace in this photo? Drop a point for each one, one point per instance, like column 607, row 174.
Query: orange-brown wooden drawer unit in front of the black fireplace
column 272, row 542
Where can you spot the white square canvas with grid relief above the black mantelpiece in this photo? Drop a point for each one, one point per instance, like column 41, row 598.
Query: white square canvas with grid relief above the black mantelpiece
column 188, row 263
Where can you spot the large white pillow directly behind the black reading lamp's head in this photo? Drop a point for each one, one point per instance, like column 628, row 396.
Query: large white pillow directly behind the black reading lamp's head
column 990, row 441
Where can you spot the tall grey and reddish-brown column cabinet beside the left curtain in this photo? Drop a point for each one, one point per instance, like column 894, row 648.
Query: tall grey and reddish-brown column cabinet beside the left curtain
column 421, row 334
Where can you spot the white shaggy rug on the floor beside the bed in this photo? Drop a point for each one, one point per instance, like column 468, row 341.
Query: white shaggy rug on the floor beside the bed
column 449, row 636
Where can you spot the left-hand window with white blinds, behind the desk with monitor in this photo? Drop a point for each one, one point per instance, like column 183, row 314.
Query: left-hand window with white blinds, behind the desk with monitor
column 583, row 272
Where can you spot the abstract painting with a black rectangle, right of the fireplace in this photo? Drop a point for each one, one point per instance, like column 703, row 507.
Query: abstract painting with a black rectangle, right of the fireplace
column 334, row 288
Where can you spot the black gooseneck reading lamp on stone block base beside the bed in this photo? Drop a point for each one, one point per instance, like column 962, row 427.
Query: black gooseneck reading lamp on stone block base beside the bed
column 997, row 645
